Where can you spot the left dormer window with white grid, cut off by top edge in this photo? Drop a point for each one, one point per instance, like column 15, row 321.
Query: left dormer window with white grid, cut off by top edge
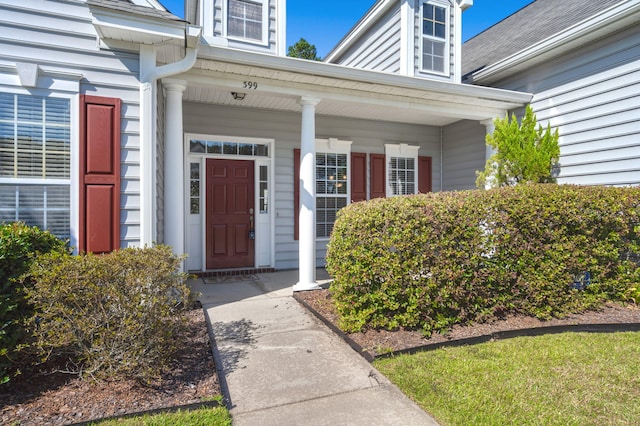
column 247, row 20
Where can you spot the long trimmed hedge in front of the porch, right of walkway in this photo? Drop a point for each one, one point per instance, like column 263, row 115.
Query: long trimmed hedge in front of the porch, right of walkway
column 430, row 261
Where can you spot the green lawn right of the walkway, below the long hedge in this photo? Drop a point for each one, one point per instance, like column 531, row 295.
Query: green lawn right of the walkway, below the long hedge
column 562, row 379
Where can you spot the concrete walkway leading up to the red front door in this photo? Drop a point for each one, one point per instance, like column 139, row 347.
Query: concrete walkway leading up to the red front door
column 279, row 365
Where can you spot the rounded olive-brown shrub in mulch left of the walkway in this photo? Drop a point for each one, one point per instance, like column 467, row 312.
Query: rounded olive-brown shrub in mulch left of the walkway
column 109, row 315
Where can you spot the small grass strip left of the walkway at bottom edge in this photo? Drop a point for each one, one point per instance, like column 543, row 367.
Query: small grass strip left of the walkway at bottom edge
column 218, row 416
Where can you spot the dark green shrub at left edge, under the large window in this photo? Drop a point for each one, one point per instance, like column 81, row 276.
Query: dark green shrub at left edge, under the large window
column 18, row 245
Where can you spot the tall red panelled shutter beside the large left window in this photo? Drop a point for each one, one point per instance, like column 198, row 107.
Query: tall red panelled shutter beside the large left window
column 99, row 174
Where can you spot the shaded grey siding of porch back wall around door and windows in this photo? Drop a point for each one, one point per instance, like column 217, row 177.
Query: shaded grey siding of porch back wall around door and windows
column 284, row 128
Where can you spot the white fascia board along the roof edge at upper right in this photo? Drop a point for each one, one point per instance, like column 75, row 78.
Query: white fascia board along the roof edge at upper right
column 616, row 17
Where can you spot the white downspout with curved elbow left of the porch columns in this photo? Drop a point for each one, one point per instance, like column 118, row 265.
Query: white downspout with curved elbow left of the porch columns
column 150, row 73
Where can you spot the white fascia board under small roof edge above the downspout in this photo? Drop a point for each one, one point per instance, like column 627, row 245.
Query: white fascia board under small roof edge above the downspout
column 124, row 26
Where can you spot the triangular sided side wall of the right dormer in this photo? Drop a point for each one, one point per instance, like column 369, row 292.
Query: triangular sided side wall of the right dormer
column 379, row 48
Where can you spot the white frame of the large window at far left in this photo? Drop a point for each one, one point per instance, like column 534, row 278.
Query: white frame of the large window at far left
column 72, row 181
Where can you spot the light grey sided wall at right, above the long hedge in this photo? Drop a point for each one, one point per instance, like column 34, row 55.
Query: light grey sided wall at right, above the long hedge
column 593, row 98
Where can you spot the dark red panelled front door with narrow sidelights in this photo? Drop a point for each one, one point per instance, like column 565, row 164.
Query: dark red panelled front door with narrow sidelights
column 230, row 207
